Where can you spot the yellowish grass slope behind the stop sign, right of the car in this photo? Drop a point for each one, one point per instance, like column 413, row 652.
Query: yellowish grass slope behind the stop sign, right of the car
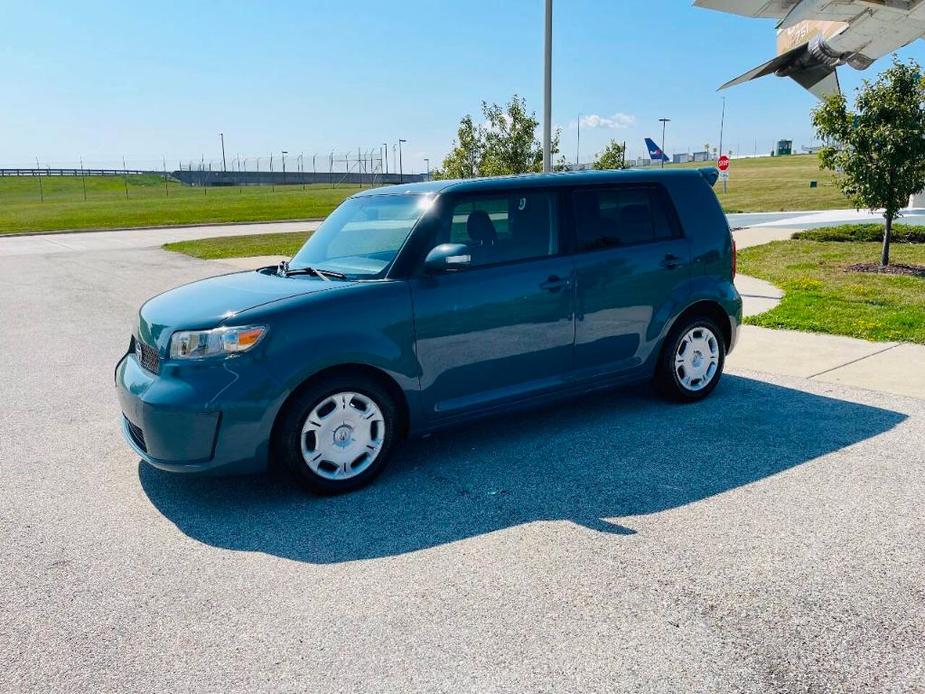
column 773, row 184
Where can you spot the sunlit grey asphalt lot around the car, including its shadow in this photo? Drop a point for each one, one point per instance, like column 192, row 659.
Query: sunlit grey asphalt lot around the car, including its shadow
column 769, row 539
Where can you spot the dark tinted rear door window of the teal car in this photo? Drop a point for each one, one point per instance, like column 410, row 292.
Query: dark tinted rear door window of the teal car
column 623, row 216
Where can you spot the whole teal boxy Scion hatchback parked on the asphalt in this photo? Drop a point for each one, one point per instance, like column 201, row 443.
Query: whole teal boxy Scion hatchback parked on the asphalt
column 416, row 307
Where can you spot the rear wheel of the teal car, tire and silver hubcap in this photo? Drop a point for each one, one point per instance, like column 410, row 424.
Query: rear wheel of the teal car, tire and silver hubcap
column 692, row 360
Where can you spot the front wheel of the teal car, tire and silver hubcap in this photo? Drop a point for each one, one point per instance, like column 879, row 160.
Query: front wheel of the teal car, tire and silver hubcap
column 337, row 434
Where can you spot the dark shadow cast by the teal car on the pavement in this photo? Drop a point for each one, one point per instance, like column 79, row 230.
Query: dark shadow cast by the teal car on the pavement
column 607, row 455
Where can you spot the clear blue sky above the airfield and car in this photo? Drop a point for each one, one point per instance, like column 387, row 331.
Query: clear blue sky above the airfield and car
column 103, row 80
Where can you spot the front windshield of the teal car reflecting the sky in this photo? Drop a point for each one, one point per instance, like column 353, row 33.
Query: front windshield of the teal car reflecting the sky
column 361, row 237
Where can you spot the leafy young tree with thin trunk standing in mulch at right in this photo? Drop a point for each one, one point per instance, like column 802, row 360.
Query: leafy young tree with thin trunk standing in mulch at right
column 877, row 151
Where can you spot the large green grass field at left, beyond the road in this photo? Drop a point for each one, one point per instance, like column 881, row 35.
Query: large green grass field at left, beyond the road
column 149, row 204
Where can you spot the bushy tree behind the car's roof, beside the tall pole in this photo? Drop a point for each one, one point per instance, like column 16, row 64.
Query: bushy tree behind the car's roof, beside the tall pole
column 505, row 143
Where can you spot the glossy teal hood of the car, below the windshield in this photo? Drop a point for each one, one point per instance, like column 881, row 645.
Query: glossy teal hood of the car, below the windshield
column 210, row 302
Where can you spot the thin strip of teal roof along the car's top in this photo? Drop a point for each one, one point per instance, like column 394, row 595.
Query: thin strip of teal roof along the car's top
column 541, row 180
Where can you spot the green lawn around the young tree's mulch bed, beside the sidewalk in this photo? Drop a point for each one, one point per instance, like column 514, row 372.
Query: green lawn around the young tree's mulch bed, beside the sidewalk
column 822, row 297
